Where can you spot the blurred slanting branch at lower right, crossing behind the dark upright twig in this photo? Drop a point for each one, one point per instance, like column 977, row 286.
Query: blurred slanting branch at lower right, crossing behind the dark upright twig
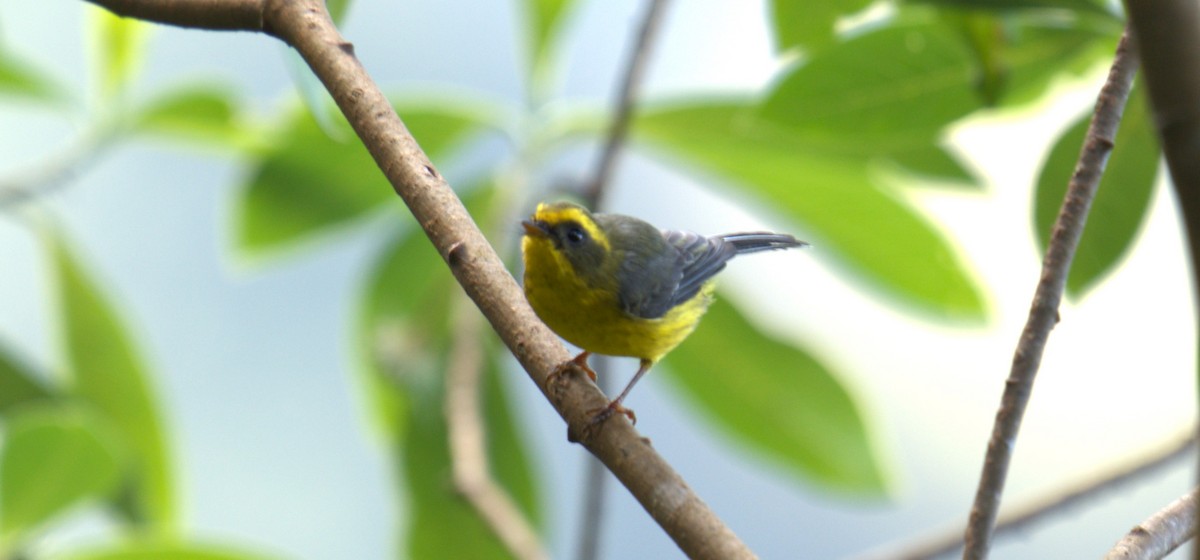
column 1024, row 516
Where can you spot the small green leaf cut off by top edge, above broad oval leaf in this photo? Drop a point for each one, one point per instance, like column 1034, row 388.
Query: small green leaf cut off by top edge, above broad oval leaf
column 809, row 25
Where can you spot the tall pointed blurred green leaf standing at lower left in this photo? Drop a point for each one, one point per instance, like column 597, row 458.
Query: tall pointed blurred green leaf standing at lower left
column 107, row 374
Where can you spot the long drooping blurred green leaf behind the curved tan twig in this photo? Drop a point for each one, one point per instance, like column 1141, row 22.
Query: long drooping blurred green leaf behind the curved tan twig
column 407, row 334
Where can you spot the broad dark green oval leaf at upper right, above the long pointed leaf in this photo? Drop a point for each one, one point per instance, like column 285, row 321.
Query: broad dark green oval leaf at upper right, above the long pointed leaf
column 886, row 91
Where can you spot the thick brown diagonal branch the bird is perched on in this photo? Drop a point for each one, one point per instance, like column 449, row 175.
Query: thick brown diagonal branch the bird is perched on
column 307, row 27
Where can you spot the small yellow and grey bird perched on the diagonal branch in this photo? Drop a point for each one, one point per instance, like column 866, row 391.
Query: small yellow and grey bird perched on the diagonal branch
column 617, row 286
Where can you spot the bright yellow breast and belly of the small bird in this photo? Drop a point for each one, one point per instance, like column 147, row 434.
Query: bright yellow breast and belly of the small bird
column 592, row 318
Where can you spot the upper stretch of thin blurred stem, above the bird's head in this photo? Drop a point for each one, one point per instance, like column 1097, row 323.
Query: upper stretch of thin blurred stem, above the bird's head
column 635, row 69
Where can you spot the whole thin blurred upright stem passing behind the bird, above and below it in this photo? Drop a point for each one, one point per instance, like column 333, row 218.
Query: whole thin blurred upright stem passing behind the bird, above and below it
column 595, row 477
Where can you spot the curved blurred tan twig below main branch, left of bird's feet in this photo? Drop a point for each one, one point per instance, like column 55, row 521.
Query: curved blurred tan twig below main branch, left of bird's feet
column 469, row 445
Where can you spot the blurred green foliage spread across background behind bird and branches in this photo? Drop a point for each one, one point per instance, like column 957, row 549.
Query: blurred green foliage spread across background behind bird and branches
column 825, row 144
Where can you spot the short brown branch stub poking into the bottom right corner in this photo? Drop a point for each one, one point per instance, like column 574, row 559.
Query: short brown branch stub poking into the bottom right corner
column 1163, row 533
